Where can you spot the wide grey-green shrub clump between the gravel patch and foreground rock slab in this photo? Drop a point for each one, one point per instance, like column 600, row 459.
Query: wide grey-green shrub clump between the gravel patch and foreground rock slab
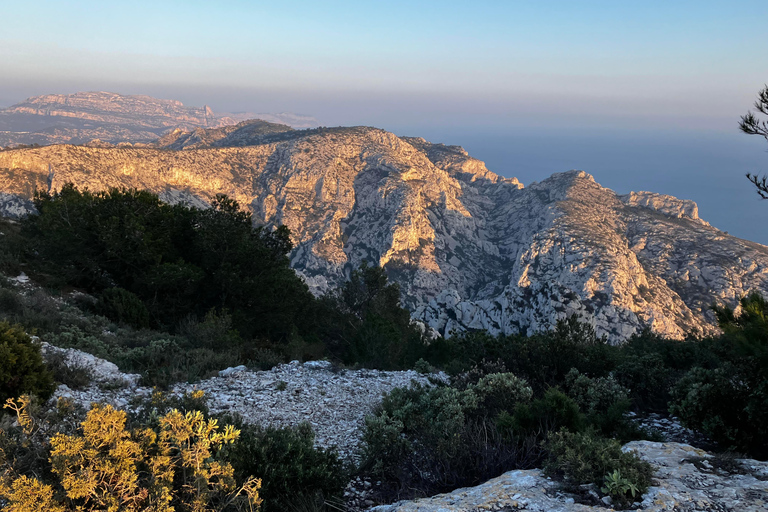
column 424, row 440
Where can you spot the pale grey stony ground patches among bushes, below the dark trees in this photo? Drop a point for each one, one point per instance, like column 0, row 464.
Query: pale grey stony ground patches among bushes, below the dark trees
column 334, row 401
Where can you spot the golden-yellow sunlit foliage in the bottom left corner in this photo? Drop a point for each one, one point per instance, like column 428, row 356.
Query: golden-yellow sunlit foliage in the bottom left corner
column 106, row 467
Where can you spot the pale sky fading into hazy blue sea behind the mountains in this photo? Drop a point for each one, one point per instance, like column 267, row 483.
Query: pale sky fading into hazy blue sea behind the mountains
column 644, row 95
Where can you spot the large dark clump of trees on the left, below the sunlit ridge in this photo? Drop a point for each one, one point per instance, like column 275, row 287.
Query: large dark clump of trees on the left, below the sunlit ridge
column 177, row 260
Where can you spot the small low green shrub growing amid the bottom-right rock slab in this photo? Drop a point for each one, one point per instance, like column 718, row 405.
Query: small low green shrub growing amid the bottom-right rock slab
column 586, row 458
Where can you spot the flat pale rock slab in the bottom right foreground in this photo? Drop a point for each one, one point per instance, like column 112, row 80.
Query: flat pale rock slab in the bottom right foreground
column 685, row 481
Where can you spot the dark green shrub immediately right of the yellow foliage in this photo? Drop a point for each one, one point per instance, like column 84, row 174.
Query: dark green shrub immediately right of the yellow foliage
column 288, row 464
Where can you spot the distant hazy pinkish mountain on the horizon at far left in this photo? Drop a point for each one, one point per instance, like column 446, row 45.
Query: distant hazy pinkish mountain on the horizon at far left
column 113, row 118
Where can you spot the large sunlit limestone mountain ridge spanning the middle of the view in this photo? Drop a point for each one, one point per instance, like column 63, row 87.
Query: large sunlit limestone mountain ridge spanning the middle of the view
column 469, row 248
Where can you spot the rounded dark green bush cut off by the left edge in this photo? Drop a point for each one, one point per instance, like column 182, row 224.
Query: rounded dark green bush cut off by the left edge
column 21, row 366
